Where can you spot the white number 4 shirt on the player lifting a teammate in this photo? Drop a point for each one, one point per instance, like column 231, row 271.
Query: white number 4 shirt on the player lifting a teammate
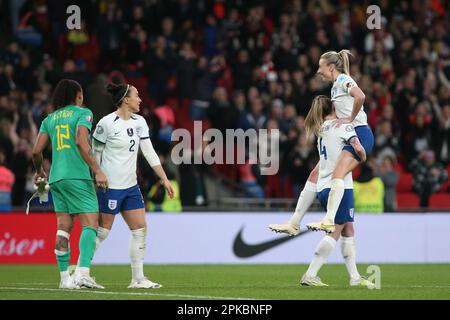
column 330, row 142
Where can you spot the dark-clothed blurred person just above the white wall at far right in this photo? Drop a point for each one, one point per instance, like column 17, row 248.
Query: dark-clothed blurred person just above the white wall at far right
column 428, row 176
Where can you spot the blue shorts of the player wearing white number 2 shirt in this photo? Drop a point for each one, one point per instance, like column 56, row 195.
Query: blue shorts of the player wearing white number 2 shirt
column 114, row 201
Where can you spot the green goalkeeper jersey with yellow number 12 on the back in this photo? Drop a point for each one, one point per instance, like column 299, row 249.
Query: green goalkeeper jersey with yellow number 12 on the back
column 61, row 127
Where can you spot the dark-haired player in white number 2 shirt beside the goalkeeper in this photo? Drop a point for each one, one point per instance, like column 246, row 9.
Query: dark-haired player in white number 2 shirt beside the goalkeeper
column 117, row 139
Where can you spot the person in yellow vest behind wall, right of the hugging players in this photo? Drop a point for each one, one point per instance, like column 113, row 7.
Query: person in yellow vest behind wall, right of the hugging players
column 368, row 191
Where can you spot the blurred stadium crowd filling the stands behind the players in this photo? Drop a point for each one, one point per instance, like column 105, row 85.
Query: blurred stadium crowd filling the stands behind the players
column 236, row 64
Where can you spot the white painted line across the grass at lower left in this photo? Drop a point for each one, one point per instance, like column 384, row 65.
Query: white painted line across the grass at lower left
column 129, row 293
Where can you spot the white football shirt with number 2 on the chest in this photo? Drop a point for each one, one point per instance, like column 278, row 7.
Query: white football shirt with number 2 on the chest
column 121, row 139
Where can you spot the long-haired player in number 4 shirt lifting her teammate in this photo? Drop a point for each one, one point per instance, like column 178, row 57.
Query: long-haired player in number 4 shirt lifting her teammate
column 331, row 140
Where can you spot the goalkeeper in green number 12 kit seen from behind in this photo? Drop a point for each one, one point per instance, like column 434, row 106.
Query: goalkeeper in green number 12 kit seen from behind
column 68, row 129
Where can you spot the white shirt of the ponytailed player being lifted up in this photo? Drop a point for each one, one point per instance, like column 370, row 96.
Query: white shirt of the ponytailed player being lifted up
column 343, row 101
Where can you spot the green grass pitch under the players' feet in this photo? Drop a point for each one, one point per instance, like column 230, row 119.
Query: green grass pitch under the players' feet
column 186, row 282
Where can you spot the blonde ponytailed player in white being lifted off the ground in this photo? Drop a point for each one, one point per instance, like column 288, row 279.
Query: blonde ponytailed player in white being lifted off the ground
column 348, row 101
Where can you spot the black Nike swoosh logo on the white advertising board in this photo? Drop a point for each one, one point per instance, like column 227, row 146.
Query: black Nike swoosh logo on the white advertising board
column 245, row 250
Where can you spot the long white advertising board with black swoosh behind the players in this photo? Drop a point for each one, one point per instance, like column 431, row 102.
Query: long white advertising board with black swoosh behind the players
column 209, row 238
